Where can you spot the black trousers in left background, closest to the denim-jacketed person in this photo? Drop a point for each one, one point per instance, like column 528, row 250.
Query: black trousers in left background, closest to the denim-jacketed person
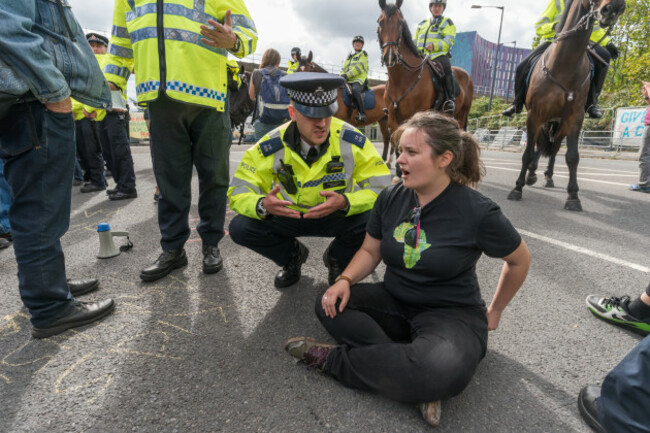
column 90, row 151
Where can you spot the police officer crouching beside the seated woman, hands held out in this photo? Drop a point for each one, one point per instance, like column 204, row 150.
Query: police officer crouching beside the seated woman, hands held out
column 313, row 176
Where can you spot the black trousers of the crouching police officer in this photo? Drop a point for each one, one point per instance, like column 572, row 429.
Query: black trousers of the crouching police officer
column 274, row 238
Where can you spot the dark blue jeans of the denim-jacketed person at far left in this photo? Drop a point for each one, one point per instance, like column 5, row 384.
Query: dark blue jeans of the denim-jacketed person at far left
column 38, row 150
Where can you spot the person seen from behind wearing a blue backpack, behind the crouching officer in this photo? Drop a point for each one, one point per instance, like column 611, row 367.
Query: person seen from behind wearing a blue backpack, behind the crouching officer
column 272, row 101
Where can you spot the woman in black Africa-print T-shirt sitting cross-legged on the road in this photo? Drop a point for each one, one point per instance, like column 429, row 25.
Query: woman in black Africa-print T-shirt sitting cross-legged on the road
column 419, row 335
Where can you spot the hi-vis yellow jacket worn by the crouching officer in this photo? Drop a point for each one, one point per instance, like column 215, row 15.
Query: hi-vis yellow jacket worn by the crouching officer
column 364, row 174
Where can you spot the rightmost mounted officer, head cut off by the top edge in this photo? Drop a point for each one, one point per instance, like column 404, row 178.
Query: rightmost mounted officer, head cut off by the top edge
column 545, row 29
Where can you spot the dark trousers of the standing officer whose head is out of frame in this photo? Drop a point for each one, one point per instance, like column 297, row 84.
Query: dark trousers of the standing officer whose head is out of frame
column 184, row 136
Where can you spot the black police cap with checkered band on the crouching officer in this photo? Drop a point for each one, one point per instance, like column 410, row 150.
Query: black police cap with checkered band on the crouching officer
column 313, row 93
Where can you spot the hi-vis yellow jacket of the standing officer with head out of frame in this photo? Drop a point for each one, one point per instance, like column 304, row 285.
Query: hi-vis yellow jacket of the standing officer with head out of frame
column 162, row 38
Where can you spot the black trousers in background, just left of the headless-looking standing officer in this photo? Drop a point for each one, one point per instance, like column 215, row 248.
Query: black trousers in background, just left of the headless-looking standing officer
column 113, row 136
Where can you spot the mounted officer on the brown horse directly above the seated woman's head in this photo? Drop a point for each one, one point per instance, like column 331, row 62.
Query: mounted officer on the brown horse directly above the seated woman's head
column 434, row 38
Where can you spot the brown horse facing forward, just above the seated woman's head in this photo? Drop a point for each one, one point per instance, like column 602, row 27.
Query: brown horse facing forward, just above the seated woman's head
column 410, row 86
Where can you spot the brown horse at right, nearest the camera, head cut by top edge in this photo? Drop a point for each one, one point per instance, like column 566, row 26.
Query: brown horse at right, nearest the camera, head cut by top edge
column 558, row 90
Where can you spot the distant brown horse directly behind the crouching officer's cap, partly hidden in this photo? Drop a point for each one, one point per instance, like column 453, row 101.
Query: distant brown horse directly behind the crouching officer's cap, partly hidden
column 349, row 114
